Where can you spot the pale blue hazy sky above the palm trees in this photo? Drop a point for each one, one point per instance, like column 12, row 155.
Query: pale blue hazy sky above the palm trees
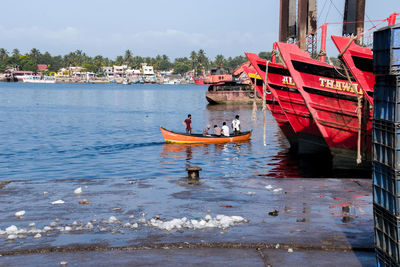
column 149, row 28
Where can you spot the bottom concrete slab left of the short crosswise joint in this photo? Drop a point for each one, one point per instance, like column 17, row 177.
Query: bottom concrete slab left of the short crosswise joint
column 147, row 257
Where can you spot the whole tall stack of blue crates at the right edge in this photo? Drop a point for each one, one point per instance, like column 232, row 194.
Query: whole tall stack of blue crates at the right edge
column 386, row 145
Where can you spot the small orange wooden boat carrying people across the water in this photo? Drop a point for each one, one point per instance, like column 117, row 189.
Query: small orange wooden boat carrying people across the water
column 173, row 137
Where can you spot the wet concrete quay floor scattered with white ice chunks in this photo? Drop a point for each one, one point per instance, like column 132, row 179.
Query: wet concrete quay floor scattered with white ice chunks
column 314, row 214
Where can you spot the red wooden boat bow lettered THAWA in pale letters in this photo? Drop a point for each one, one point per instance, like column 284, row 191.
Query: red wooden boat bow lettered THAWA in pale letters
column 333, row 104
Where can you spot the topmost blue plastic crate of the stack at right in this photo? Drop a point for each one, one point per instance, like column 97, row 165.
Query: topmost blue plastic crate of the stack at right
column 387, row 50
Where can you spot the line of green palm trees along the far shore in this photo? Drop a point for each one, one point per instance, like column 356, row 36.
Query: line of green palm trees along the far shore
column 197, row 61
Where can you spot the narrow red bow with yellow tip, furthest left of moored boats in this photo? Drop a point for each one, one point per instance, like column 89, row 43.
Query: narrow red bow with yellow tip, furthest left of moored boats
column 274, row 107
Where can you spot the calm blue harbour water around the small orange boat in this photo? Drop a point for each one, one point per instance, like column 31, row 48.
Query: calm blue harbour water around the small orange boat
column 88, row 131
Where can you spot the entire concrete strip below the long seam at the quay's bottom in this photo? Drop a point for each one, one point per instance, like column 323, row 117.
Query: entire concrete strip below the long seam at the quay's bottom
column 167, row 256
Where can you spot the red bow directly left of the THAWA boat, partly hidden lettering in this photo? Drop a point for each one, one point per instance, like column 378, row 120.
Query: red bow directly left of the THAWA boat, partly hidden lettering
column 284, row 90
